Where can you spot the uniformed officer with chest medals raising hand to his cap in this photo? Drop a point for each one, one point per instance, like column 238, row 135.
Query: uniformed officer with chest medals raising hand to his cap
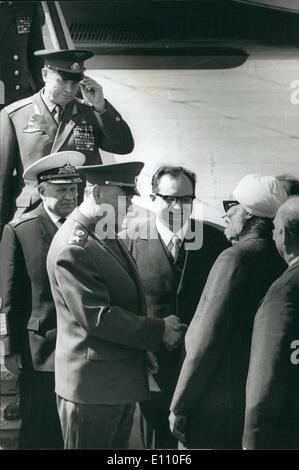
column 54, row 120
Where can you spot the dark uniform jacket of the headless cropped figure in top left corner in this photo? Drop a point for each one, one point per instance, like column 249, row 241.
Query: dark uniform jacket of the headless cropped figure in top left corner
column 20, row 36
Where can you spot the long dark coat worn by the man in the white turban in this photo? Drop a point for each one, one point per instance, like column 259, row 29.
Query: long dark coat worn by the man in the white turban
column 211, row 386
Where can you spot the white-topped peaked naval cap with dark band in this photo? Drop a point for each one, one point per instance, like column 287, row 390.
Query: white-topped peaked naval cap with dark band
column 57, row 168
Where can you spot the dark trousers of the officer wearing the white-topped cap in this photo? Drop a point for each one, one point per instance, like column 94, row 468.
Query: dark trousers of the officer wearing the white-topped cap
column 40, row 426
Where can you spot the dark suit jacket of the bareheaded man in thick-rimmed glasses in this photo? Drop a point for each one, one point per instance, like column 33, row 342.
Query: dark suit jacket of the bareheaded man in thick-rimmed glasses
column 169, row 291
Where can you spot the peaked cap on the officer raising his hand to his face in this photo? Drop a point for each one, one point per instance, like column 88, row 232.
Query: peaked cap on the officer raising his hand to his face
column 69, row 63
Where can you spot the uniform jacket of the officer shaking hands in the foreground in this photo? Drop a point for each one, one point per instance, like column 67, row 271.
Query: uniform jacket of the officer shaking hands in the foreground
column 102, row 327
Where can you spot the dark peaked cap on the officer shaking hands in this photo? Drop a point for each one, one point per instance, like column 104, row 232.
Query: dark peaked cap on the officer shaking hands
column 123, row 175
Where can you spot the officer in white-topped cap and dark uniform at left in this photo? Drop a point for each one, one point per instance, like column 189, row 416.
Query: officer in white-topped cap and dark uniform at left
column 29, row 318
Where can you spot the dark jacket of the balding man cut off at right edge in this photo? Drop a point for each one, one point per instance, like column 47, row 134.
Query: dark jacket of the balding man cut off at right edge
column 272, row 393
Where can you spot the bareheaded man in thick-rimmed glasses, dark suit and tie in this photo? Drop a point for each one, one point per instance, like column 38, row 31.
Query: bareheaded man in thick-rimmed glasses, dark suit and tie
column 172, row 281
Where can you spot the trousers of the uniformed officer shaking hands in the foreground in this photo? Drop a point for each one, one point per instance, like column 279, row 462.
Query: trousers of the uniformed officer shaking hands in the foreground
column 95, row 426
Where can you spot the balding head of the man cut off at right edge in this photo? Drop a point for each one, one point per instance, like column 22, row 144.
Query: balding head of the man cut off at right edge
column 286, row 232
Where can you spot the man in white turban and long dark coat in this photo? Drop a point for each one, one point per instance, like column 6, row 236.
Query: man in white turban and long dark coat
column 209, row 400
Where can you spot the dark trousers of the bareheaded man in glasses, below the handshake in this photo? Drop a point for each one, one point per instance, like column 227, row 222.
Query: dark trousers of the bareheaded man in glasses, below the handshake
column 155, row 413
